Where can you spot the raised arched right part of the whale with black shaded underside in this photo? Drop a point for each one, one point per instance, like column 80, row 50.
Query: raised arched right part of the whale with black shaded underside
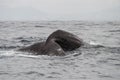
column 66, row 40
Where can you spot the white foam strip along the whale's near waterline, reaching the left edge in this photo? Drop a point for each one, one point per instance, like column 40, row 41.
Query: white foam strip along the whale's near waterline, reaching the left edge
column 13, row 53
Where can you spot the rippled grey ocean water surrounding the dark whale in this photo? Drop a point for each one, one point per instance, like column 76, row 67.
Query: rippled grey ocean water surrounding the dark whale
column 98, row 59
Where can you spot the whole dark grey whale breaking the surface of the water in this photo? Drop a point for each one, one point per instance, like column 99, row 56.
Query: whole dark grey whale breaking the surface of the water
column 56, row 44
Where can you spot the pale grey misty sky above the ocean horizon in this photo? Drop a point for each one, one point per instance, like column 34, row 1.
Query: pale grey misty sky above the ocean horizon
column 60, row 10
